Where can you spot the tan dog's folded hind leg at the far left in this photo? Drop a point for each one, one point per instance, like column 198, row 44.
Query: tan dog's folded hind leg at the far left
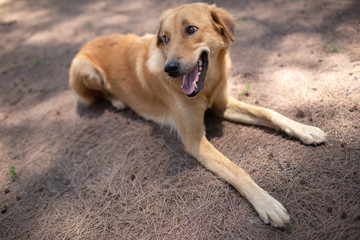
column 88, row 81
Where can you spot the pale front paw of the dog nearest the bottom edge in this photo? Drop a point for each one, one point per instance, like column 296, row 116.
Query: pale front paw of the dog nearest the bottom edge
column 271, row 211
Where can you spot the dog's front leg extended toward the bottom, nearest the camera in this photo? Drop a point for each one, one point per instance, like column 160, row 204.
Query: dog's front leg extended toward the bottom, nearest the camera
column 192, row 131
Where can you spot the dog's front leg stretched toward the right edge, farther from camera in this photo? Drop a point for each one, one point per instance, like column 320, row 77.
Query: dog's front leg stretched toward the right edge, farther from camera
column 237, row 111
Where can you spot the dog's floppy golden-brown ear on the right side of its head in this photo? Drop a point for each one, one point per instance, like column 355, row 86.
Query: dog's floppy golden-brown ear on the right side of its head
column 223, row 22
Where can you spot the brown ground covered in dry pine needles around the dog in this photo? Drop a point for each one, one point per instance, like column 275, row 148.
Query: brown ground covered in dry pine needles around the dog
column 97, row 173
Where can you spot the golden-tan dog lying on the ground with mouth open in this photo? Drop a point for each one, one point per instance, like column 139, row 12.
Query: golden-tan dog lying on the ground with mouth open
column 172, row 78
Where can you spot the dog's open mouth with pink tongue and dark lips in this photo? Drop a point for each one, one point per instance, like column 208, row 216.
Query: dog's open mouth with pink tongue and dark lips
column 193, row 82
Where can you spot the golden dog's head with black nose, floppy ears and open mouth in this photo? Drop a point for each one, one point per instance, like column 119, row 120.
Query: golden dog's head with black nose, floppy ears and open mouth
column 190, row 37
